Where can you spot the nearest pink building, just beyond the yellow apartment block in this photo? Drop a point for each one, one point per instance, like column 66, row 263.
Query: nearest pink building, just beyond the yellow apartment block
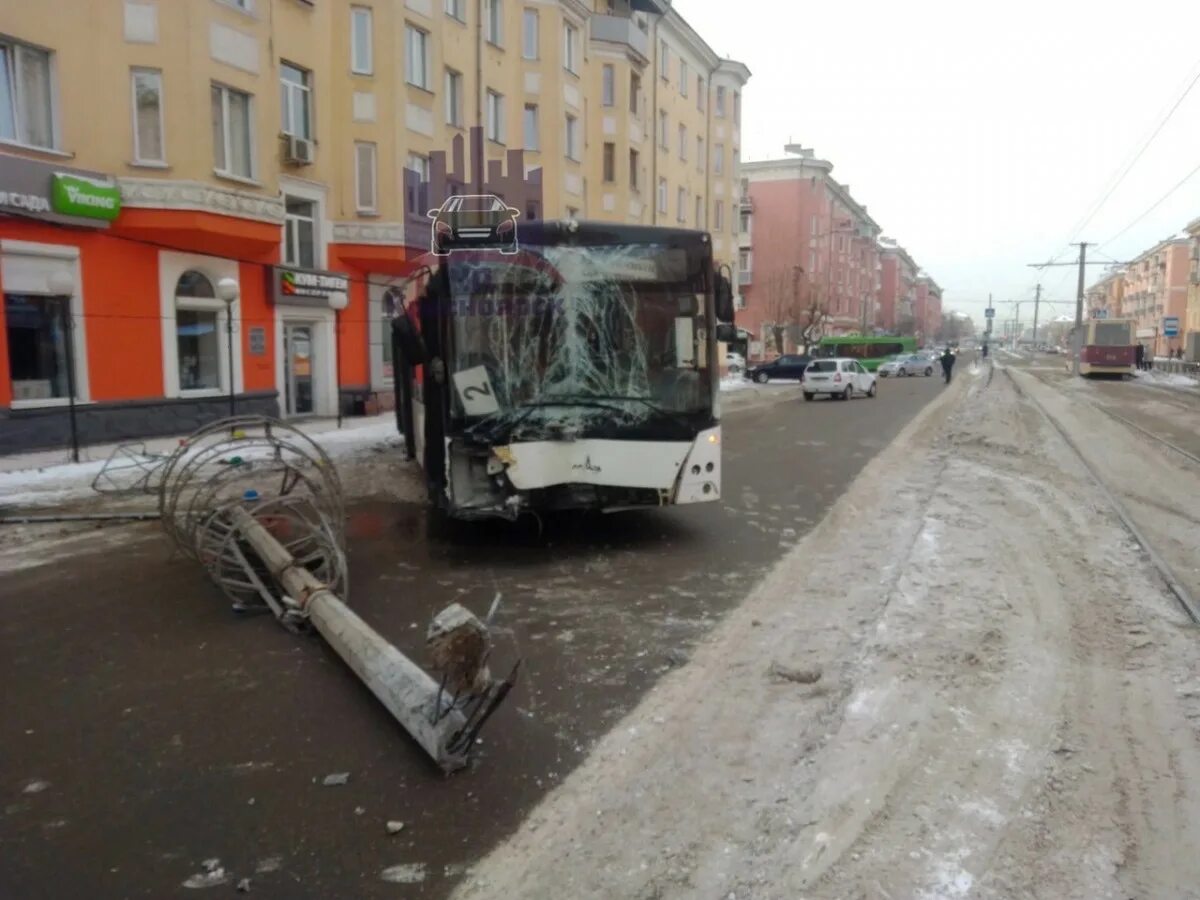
column 811, row 259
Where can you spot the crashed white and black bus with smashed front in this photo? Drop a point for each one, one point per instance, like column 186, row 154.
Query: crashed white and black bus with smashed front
column 579, row 371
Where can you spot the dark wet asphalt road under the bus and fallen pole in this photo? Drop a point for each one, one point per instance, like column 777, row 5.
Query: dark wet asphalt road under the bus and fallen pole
column 146, row 729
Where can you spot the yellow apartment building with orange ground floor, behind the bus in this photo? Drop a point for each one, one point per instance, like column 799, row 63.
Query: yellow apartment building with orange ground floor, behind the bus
column 206, row 200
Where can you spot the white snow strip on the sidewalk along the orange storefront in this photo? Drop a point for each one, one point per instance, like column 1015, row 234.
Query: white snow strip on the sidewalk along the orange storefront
column 44, row 478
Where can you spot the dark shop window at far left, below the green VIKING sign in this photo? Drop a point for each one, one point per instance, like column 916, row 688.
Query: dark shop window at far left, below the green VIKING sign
column 38, row 346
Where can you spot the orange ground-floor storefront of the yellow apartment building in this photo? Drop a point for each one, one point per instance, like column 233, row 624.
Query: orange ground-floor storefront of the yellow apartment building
column 133, row 314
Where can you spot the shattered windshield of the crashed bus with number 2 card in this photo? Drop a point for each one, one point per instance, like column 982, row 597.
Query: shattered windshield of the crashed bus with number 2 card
column 579, row 338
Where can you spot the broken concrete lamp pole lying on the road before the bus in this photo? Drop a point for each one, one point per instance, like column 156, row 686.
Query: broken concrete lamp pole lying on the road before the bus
column 409, row 693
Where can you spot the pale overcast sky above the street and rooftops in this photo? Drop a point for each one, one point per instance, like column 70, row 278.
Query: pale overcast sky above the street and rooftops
column 980, row 135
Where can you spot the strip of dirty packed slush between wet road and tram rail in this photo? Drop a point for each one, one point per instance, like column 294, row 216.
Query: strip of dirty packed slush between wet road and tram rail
column 1004, row 705
